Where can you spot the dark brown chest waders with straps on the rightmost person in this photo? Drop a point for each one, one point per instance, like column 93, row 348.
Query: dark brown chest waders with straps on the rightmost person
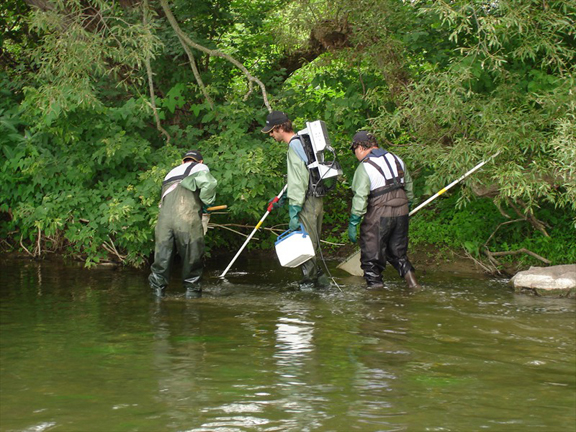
column 384, row 230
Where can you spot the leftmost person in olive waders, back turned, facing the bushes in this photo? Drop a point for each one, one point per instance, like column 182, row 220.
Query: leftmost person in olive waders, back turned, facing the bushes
column 186, row 189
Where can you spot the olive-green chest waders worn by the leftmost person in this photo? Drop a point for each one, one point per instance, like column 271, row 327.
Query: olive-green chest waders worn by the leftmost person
column 178, row 230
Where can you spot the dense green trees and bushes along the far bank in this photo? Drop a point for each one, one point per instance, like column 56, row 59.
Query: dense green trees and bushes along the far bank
column 100, row 99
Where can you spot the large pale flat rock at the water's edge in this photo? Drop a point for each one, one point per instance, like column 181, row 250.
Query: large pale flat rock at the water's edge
column 557, row 281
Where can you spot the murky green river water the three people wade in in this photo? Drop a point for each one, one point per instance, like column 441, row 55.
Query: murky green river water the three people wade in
column 91, row 350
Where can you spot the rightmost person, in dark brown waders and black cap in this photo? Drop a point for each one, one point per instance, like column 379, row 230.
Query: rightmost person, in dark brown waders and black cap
column 382, row 190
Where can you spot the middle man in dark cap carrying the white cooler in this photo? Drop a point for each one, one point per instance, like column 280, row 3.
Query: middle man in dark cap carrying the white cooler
column 302, row 206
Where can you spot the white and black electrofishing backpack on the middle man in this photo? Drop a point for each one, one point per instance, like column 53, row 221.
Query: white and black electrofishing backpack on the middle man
column 323, row 172
